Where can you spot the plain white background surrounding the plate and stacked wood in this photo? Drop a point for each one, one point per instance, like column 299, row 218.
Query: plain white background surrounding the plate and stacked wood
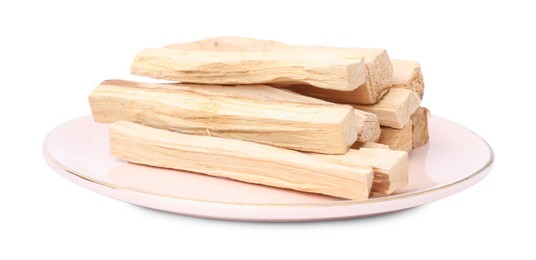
column 479, row 65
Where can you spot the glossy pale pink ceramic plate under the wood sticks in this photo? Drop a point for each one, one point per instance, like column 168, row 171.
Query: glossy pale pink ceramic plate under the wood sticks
column 455, row 159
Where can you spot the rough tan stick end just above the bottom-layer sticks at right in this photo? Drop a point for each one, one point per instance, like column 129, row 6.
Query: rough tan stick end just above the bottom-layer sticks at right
column 398, row 139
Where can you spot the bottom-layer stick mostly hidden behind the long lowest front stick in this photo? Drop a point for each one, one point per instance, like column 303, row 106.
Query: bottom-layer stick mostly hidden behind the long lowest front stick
column 390, row 166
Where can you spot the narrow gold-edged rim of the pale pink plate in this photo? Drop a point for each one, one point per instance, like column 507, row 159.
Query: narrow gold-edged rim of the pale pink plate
column 390, row 198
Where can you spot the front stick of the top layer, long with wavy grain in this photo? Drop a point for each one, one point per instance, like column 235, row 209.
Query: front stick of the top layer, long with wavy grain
column 322, row 69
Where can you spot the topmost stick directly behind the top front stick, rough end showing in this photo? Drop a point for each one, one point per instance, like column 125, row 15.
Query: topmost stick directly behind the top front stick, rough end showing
column 378, row 75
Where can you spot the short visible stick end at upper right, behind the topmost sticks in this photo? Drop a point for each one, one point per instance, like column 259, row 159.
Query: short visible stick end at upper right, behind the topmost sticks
column 407, row 75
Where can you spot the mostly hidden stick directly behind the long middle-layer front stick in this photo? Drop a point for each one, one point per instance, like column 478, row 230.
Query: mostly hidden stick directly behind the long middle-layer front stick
column 368, row 128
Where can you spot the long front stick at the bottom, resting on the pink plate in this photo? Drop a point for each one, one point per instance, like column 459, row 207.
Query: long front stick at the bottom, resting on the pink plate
column 239, row 160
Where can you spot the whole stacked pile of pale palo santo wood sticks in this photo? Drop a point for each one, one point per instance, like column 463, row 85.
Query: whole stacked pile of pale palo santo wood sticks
column 333, row 121
